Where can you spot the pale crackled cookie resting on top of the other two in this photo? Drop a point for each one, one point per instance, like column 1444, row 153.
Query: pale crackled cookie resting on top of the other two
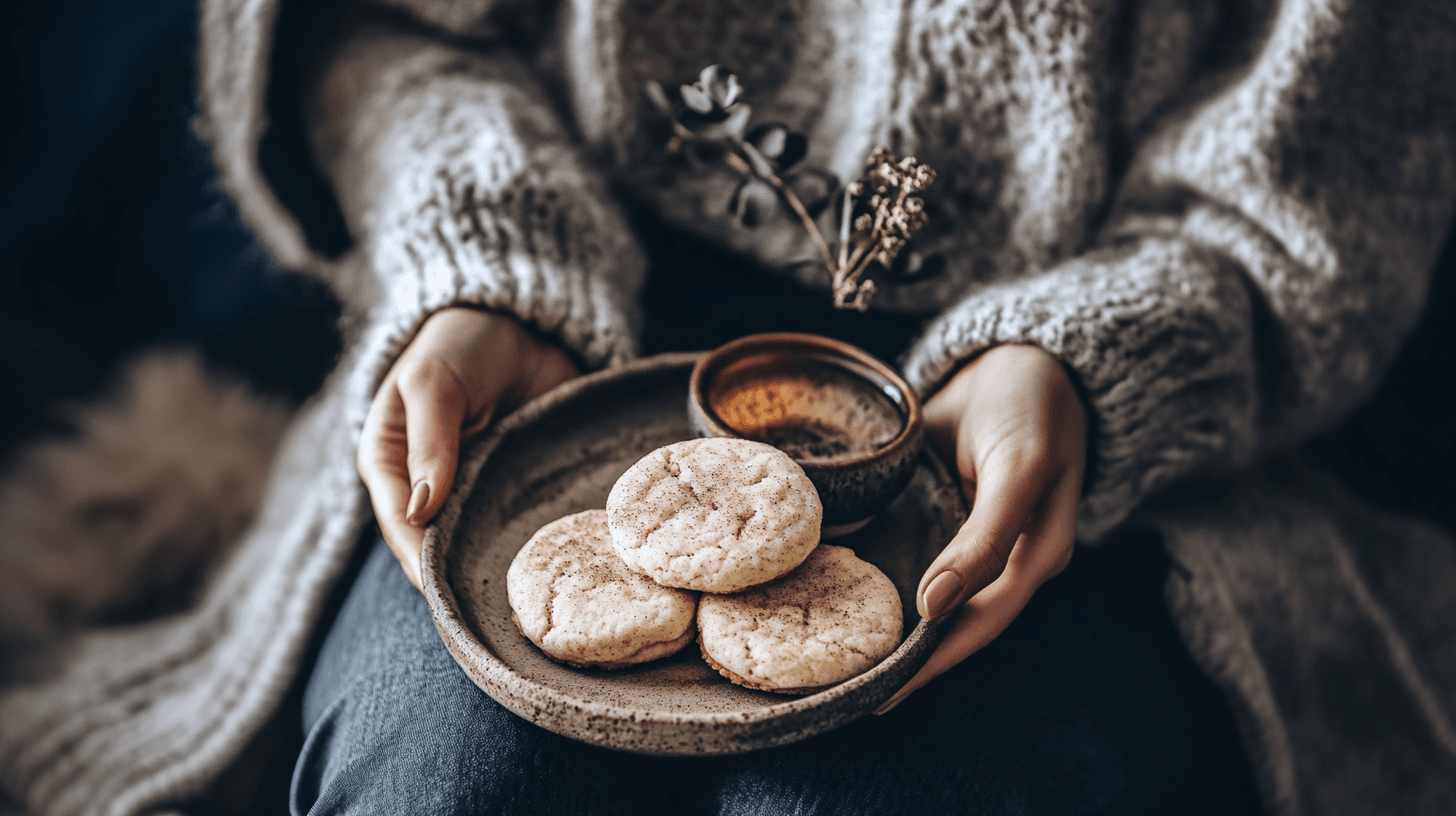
column 714, row 515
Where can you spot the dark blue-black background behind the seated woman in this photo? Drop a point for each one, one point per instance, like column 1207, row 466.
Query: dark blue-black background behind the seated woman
column 114, row 238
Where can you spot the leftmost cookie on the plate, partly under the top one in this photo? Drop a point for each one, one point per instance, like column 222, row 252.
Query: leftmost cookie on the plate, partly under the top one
column 573, row 598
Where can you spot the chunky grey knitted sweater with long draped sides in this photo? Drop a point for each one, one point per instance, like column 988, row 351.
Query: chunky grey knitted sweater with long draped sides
column 1219, row 216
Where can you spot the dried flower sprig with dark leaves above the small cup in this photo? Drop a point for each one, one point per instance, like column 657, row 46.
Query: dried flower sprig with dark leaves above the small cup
column 879, row 213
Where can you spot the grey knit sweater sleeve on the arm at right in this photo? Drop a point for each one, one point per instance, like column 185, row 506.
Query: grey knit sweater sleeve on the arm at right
column 1267, row 254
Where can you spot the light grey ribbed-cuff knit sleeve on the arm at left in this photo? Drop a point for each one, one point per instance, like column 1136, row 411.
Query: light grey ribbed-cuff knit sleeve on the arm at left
column 462, row 187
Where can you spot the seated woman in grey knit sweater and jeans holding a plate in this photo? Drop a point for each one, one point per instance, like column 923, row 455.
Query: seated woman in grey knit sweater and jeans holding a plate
column 1167, row 243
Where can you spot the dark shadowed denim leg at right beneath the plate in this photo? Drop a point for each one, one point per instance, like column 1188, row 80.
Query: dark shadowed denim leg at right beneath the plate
column 1069, row 712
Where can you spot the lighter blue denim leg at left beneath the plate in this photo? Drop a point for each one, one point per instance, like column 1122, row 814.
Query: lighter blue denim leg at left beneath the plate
column 394, row 726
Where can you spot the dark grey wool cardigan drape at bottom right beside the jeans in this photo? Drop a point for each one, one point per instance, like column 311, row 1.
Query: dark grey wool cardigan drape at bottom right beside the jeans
column 1333, row 630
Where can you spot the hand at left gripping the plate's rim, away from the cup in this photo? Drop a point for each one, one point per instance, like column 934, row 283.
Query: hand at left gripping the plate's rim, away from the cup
column 462, row 369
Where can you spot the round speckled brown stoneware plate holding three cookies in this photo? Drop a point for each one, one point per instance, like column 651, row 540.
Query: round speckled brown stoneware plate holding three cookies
column 560, row 455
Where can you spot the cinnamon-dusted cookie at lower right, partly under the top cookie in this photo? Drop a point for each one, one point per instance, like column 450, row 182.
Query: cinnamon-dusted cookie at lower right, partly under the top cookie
column 825, row 623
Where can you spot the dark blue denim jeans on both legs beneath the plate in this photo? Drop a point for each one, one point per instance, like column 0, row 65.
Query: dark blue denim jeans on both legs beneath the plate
column 1087, row 705
